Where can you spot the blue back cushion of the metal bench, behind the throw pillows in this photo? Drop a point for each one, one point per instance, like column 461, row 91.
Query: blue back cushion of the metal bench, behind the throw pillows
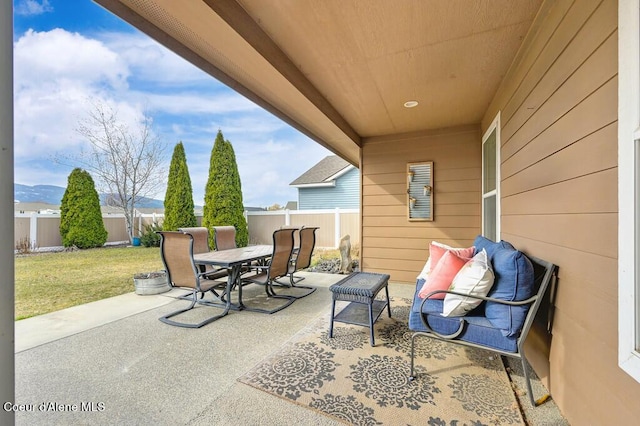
column 514, row 280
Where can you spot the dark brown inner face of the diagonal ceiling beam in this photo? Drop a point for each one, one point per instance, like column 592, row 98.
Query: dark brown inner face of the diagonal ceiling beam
column 238, row 19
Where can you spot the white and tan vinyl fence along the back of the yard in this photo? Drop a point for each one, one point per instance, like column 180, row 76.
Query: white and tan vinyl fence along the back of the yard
column 41, row 231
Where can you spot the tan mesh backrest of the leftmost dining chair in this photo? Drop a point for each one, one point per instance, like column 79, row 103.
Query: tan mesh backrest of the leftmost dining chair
column 176, row 250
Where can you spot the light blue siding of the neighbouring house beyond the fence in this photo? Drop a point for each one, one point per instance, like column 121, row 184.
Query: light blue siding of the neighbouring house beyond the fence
column 344, row 195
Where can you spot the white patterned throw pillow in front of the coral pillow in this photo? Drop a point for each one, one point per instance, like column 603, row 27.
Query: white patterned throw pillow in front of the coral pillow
column 475, row 278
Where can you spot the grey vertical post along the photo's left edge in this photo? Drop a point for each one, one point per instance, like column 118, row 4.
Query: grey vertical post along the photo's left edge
column 7, row 359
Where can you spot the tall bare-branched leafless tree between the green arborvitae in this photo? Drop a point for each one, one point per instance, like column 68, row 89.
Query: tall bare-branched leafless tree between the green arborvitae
column 127, row 165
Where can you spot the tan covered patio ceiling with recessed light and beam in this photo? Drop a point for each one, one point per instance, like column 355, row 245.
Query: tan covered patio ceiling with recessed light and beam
column 340, row 71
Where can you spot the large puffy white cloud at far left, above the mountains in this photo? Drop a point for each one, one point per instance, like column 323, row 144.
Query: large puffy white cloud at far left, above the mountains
column 55, row 73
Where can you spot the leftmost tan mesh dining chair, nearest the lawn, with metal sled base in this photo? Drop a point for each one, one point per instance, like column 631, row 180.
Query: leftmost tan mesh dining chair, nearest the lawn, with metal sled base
column 176, row 251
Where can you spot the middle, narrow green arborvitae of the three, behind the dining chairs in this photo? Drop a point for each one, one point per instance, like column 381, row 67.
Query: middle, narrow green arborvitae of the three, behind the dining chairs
column 178, row 201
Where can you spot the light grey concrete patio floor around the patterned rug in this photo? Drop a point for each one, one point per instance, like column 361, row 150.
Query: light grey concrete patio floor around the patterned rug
column 115, row 359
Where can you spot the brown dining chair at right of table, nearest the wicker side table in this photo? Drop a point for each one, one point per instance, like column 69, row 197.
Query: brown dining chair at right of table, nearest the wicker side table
column 276, row 267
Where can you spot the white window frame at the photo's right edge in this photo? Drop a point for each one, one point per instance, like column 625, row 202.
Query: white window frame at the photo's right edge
column 628, row 186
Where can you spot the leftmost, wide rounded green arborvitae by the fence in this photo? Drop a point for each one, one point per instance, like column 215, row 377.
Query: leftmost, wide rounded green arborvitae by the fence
column 81, row 222
